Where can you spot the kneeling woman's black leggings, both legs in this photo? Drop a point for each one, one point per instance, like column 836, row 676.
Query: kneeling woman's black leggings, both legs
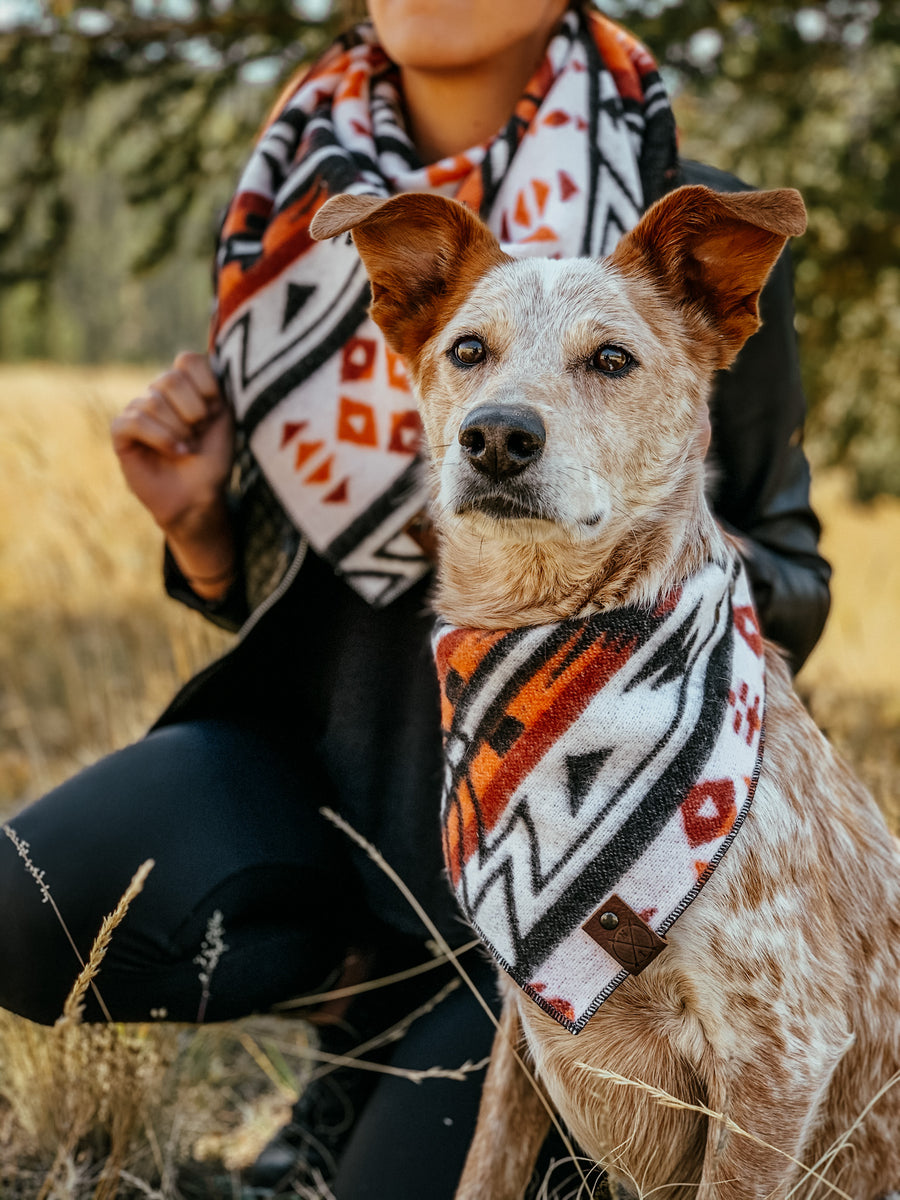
column 235, row 831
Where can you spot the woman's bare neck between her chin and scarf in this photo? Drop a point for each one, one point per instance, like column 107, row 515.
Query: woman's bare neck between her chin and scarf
column 451, row 111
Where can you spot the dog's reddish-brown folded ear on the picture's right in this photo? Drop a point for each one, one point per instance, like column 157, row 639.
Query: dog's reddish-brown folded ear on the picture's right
column 715, row 253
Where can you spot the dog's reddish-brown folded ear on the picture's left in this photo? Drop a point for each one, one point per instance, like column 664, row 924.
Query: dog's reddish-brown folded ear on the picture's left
column 423, row 255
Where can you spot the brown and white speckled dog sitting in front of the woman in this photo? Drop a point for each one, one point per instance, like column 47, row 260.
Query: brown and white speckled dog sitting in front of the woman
column 578, row 487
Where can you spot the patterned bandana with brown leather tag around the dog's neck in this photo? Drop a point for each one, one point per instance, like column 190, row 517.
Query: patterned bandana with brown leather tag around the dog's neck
column 597, row 772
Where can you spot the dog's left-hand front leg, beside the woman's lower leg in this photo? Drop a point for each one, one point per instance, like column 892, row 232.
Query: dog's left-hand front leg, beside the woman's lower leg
column 513, row 1121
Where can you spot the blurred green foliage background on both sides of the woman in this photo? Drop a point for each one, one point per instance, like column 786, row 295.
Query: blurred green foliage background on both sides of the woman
column 124, row 124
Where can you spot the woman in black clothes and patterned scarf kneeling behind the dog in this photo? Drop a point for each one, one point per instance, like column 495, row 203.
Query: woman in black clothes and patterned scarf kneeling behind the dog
column 283, row 473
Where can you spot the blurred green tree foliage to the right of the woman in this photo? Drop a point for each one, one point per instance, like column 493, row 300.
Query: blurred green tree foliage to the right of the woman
column 807, row 95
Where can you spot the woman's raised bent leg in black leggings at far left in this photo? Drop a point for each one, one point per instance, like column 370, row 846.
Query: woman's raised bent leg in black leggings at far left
column 226, row 824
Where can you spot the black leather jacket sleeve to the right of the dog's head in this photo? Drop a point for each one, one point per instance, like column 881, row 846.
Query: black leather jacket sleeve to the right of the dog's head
column 760, row 476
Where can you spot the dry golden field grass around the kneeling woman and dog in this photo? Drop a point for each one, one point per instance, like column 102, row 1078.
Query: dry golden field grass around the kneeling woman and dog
column 91, row 651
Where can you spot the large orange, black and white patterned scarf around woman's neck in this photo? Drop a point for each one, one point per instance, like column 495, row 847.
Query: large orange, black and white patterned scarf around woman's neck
column 323, row 404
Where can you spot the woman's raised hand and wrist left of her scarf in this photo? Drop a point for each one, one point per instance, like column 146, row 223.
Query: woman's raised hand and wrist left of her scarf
column 176, row 446
